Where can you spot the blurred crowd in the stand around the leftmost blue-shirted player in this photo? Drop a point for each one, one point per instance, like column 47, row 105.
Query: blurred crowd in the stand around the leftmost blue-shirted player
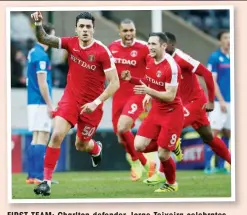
column 22, row 40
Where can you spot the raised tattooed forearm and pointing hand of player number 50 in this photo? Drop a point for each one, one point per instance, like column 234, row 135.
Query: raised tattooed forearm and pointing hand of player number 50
column 42, row 36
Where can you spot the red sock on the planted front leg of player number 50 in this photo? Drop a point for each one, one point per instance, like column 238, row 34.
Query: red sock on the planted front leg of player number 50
column 51, row 158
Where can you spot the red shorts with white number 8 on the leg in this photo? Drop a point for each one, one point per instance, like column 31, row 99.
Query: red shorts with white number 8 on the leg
column 165, row 129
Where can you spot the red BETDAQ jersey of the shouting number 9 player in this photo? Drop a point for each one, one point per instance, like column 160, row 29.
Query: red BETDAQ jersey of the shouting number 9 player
column 131, row 58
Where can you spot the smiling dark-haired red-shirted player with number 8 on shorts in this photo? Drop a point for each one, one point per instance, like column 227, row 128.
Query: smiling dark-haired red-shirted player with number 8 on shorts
column 161, row 129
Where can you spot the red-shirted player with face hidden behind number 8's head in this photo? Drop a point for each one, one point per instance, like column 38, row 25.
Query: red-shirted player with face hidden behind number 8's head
column 196, row 103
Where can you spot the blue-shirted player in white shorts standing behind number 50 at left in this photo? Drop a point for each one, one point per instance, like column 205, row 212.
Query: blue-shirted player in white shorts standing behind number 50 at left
column 40, row 107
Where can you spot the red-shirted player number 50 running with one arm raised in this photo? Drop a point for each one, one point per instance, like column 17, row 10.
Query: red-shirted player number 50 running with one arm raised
column 90, row 63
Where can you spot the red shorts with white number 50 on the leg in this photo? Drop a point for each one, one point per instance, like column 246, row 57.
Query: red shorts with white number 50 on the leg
column 87, row 123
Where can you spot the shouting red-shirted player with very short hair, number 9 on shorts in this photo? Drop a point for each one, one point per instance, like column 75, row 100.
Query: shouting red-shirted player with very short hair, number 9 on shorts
column 129, row 54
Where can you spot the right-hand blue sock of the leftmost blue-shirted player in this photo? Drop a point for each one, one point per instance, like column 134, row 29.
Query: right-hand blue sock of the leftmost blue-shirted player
column 39, row 154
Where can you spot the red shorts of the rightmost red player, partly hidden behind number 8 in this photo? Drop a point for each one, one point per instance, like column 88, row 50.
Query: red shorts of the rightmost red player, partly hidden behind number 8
column 195, row 115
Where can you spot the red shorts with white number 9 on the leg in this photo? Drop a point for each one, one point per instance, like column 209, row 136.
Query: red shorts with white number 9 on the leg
column 129, row 106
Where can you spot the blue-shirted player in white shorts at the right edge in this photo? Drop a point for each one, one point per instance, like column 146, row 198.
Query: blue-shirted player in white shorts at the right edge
column 220, row 118
